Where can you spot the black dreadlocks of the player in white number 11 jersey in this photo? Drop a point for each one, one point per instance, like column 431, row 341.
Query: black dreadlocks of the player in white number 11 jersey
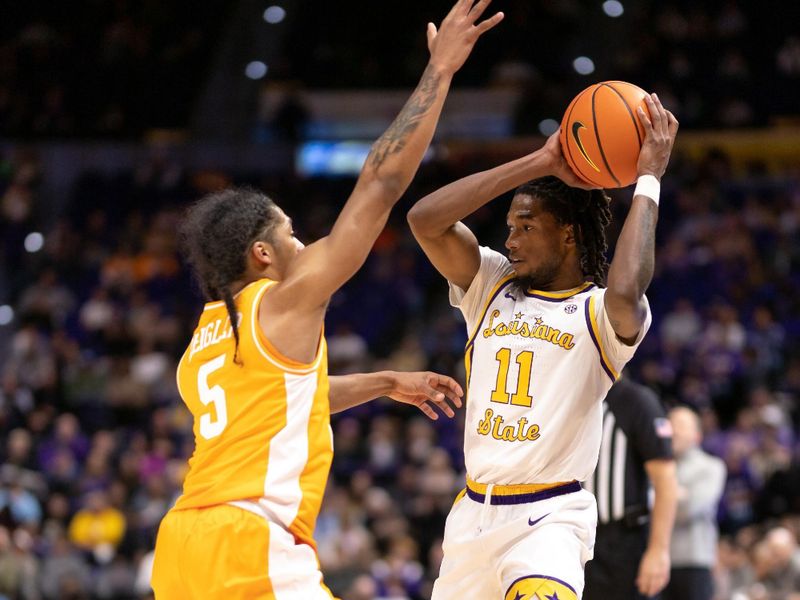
column 589, row 212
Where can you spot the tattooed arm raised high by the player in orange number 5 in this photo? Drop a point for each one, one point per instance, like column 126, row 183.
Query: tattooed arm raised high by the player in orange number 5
column 323, row 267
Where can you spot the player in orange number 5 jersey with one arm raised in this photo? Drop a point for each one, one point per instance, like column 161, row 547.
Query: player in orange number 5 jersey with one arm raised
column 255, row 373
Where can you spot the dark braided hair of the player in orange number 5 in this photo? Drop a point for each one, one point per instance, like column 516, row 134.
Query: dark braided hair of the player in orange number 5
column 216, row 234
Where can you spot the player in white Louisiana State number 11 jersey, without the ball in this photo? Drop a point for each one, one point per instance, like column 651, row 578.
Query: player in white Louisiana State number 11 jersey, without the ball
column 548, row 335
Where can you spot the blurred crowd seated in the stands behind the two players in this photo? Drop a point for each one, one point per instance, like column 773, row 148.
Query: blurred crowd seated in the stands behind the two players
column 97, row 309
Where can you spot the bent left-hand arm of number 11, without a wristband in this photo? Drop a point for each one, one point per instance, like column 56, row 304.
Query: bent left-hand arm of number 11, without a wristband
column 435, row 220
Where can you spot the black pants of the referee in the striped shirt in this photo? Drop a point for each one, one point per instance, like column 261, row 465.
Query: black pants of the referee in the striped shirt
column 611, row 574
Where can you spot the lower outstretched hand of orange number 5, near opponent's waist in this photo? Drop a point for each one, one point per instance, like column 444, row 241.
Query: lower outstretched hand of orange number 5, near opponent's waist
column 425, row 389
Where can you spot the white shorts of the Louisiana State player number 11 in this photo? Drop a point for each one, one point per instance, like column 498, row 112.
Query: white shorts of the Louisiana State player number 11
column 534, row 550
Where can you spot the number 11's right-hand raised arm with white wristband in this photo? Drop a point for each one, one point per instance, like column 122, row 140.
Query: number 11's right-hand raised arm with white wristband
column 632, row 267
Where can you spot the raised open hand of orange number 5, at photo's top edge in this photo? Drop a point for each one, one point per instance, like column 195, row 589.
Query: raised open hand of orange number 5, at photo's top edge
column 452, row 43
